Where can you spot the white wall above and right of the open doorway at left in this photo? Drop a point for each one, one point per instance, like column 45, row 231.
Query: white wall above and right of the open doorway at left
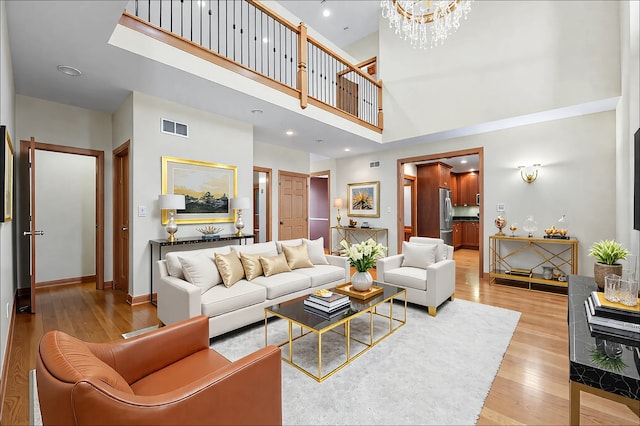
column 60, row 124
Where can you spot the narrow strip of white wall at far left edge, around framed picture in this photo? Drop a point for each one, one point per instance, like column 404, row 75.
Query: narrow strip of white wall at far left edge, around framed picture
column 7, row 118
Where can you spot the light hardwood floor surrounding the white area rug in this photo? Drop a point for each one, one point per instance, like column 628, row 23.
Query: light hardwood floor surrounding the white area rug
column 531, row 387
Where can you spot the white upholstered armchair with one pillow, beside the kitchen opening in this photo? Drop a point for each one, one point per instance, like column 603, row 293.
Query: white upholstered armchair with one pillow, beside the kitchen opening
column 425, row 268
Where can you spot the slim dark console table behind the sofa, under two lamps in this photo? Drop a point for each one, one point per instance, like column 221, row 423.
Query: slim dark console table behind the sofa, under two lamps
column 160, row 247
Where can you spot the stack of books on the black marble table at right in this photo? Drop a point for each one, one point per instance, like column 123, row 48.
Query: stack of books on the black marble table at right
column 609, row 319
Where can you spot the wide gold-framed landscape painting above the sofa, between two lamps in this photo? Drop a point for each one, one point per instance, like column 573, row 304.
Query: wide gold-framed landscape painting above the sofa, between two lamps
column 207, row 187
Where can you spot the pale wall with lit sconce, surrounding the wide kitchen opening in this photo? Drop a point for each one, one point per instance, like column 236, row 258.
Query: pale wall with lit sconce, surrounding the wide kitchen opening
column 576, row 154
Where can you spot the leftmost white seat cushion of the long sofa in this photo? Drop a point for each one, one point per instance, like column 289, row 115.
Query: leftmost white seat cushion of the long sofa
column 220, row 300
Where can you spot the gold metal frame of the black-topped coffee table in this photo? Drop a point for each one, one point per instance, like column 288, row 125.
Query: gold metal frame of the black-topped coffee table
column 301, row 323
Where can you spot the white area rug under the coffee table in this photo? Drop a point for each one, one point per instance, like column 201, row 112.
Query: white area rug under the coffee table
column 434, row 371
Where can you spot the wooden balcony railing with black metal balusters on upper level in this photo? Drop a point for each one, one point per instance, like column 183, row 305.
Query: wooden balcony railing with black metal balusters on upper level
column 248, row 38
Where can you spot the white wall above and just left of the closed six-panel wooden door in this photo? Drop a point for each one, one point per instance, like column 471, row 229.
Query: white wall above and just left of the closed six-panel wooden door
column 278, row 158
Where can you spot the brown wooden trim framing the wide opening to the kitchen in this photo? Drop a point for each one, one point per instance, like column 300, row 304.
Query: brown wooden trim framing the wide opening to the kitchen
column 406, row 164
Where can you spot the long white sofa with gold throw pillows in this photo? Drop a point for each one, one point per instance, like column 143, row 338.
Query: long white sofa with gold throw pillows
column 207, row 281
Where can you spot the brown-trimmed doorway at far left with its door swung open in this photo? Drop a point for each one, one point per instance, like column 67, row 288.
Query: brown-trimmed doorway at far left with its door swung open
column 30, row 203
